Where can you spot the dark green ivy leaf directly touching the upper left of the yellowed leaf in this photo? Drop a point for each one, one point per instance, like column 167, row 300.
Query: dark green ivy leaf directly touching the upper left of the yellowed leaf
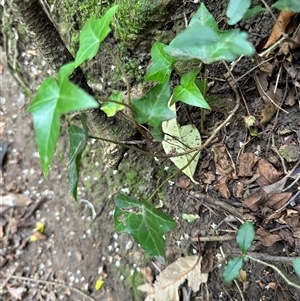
column 153, row 107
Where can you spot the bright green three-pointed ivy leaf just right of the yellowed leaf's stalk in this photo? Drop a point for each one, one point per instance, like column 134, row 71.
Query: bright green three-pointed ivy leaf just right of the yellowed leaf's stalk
column 188, row 92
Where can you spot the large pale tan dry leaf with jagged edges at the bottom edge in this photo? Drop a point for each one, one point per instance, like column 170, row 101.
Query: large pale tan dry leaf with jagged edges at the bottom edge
column 168, row 281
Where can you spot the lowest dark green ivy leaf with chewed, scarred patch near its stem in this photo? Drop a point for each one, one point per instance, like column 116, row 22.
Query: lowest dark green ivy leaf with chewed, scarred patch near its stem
column 144, row 222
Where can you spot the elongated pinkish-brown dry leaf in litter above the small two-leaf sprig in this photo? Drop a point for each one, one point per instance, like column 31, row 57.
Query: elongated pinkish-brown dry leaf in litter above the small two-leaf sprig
column 263, row 194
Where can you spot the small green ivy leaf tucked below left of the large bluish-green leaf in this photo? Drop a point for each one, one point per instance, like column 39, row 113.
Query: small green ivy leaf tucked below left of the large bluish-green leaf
column 161, row 68
